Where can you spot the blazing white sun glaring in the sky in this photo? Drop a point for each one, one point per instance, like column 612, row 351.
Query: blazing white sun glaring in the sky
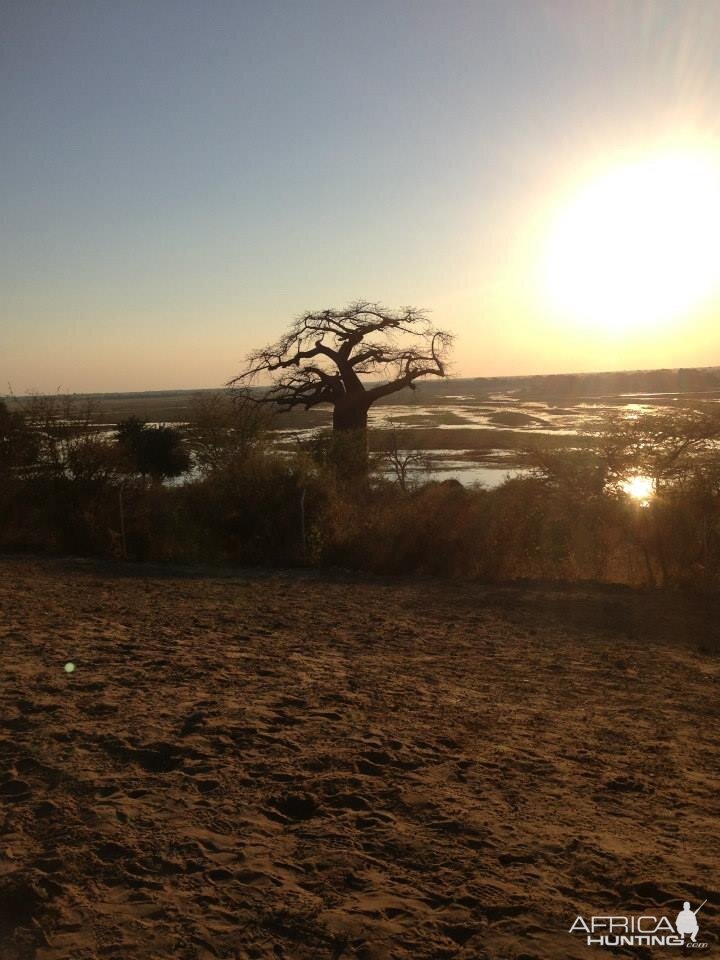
column 639, row 246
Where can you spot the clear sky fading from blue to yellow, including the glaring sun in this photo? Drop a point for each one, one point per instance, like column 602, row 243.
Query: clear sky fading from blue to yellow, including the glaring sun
column 180, row 179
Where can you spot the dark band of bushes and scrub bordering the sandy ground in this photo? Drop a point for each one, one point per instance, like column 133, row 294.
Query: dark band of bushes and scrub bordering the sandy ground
column 639, row 505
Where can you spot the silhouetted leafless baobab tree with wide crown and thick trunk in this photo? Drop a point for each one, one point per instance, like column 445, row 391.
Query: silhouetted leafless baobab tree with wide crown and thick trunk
column 348, row 358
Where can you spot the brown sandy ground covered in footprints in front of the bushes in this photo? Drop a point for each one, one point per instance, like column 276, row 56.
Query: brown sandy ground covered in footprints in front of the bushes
column 318, row 766
